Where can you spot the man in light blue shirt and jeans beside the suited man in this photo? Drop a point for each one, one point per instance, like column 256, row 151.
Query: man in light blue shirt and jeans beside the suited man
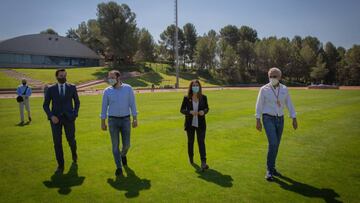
column 117, row 102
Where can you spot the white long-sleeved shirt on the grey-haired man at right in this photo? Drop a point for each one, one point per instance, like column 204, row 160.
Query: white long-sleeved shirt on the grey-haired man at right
column 267, row 101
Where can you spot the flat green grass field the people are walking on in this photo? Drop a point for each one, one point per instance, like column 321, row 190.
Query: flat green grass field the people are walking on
column 320, row 161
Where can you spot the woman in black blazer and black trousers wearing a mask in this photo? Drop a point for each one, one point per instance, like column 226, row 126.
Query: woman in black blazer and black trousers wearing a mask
column 195, row 107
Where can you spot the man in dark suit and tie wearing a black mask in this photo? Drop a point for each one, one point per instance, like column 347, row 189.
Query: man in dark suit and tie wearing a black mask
column 62, row 114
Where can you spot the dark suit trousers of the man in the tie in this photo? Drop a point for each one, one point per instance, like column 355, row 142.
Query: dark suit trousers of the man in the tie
column 69, row 127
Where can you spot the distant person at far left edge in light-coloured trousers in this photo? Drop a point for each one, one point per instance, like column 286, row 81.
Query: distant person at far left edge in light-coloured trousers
column 25, row 92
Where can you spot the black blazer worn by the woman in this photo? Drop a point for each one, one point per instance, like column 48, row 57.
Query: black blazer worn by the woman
column 187, row 106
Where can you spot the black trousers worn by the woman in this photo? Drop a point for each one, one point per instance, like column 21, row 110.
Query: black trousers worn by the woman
column 200, row 133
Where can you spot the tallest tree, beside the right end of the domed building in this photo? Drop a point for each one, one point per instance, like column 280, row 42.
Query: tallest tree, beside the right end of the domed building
column 118, row 26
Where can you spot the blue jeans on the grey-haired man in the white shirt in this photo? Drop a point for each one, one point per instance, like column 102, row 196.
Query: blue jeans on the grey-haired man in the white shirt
column 273, row 127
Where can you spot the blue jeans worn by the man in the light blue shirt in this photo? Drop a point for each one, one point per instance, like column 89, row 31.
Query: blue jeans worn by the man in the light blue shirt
column 117, row 126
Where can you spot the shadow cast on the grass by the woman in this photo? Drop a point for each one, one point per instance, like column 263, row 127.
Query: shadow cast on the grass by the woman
column 214, row 176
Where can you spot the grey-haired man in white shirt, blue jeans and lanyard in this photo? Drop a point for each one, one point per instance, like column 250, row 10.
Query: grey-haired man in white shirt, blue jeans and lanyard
column 270, row 106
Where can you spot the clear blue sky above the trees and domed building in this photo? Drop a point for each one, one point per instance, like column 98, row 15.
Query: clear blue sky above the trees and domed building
column 329, row 20
